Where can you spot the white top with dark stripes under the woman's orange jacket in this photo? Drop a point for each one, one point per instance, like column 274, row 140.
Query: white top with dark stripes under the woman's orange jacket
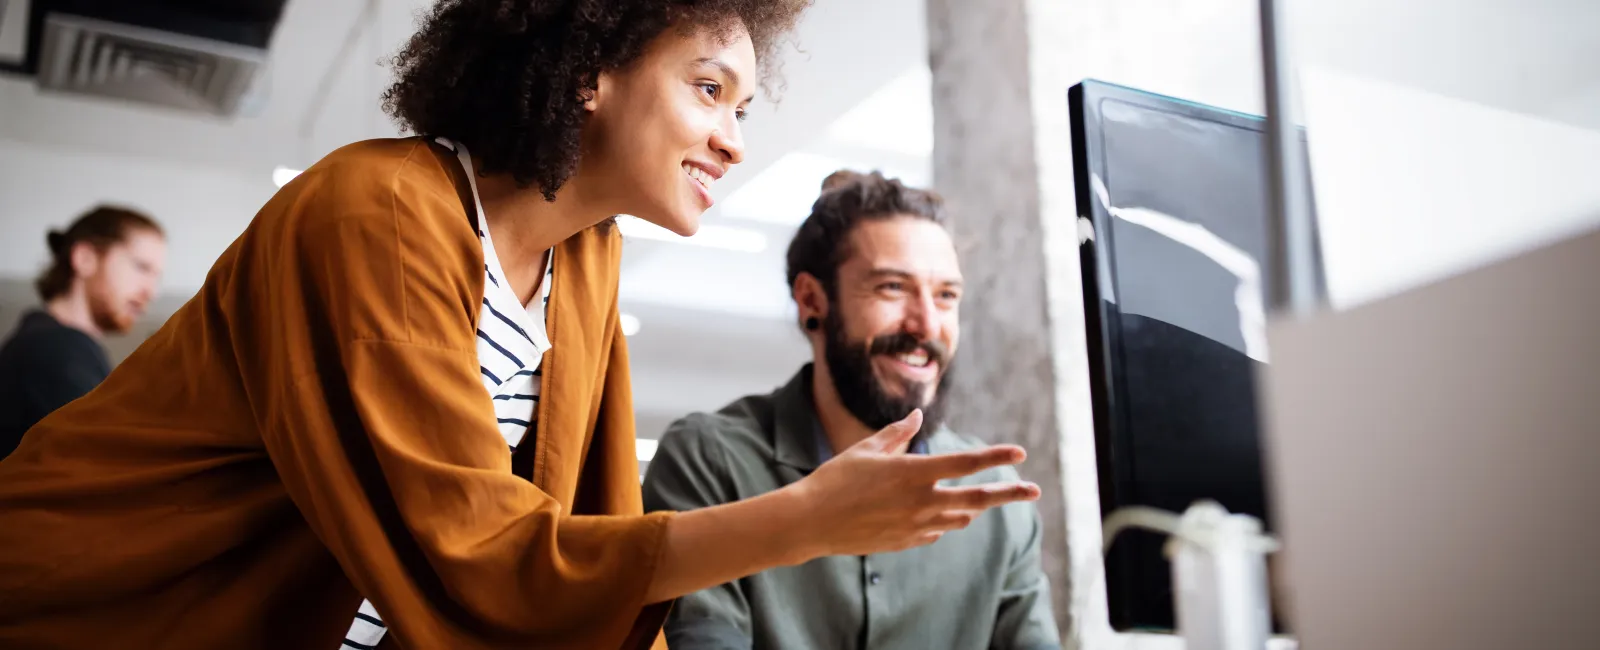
column 513, row 342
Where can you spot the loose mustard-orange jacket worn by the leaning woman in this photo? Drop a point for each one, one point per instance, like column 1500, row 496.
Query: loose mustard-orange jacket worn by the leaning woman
column 311, row 428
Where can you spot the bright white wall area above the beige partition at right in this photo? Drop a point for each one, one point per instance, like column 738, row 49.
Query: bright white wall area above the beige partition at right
column 1414, row 188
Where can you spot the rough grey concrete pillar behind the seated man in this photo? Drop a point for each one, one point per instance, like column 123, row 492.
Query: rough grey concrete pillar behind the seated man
column 1009, row 380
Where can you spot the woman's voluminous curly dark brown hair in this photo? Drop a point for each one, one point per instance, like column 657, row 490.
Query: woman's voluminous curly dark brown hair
column 510, row 78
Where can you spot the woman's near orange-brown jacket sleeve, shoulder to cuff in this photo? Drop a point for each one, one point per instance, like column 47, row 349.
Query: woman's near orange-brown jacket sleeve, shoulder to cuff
column 377, row 420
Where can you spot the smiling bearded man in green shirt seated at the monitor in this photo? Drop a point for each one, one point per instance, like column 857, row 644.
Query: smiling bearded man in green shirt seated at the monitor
column 878, row 286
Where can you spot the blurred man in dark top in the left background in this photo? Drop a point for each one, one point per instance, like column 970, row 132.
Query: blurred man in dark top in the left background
column 103, row 275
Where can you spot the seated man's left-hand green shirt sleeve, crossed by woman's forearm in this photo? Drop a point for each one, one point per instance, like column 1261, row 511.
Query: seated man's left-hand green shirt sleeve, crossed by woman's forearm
column 687, row 473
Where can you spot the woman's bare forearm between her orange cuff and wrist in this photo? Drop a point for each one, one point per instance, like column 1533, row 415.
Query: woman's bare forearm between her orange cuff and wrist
column 724, row 544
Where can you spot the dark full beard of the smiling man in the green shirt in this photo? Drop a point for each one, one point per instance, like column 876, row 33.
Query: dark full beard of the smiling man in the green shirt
column 862, row 391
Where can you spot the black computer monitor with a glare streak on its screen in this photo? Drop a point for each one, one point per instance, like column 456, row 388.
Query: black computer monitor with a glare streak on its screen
column 1174, row 228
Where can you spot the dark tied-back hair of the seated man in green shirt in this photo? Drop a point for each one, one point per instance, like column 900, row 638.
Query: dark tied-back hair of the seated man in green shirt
column 849, row 199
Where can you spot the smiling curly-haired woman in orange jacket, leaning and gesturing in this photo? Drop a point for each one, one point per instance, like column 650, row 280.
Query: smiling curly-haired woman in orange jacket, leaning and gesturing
column 370, row 398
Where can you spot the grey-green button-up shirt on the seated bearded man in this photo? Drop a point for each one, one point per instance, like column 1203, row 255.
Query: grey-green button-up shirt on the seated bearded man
column 975, row 588
